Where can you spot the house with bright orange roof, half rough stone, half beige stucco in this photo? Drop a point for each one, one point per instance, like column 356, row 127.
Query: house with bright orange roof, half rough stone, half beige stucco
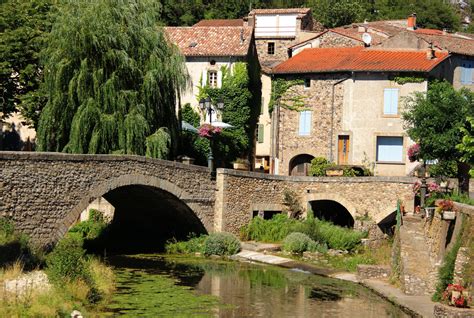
column 347, row 107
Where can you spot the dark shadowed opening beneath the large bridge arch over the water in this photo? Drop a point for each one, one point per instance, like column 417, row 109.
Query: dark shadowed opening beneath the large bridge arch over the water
column 145, row 218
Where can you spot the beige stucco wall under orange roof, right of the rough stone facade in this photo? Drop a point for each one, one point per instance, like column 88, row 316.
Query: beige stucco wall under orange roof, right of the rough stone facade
column 363, row 120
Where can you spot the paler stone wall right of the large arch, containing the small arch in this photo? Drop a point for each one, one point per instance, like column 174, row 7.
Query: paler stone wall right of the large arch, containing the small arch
column 240, row 193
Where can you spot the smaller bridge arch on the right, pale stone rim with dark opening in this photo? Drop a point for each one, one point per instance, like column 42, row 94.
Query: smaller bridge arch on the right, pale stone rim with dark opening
column 346, row 210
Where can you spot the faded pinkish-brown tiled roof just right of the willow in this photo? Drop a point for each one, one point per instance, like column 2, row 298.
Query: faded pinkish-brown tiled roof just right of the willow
column 211, row 41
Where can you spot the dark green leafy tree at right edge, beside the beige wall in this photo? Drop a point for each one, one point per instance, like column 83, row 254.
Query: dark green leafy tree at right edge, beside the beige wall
column 435, row 121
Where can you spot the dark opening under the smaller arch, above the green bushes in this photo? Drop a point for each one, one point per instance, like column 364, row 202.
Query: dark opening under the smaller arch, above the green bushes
column 332, row 211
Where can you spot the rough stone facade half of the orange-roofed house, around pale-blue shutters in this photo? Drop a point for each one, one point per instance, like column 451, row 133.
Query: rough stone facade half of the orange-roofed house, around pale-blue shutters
column 318, row 99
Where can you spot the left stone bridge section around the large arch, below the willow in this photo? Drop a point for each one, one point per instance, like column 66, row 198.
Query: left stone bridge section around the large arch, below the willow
column 44, row 193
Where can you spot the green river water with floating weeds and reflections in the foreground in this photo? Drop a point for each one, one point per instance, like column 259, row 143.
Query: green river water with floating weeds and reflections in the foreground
column 164, row 286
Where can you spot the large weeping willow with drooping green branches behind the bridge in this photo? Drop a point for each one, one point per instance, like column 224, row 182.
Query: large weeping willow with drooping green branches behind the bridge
column 112, row 80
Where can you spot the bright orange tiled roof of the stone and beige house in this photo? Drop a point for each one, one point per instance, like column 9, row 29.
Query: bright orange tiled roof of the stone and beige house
column 358, row 59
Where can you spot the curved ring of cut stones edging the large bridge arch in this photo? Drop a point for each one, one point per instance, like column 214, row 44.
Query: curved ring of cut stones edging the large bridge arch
column 111, row 184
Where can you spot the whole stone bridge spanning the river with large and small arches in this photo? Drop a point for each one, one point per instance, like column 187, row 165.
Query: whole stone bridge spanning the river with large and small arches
column 45, row 193
